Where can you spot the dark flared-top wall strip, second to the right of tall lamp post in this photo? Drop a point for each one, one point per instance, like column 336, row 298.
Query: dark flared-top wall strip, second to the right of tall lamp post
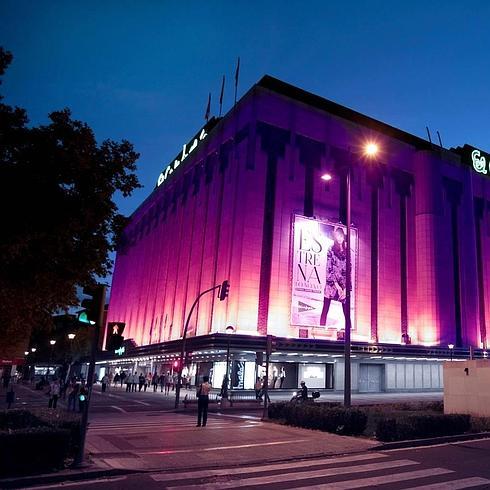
column 403, row 184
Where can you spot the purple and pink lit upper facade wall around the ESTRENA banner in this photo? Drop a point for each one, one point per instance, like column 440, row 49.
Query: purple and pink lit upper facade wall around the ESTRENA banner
column 228, row 211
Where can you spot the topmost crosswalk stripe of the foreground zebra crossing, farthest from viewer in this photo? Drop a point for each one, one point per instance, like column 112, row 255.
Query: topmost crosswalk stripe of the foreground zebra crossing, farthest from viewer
column 300, row 465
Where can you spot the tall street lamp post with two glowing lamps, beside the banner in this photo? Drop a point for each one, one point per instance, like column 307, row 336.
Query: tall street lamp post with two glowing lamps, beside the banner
column 370, row 151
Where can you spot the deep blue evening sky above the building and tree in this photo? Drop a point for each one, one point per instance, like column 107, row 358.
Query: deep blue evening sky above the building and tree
column 142, row 70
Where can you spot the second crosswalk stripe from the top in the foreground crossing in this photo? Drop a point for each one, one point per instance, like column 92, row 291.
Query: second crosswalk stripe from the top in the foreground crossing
column 287, row 477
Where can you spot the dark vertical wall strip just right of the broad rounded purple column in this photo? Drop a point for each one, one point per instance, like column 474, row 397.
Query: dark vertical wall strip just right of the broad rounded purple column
column 454, row 190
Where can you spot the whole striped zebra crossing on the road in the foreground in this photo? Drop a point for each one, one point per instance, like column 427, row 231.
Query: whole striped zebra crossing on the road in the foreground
column 367, row 470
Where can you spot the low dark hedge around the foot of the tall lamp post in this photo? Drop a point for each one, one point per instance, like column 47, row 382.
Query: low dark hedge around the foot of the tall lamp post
column 339, row 420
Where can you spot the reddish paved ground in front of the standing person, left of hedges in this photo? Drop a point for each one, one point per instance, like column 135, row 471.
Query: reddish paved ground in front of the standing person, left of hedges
column 171, row 441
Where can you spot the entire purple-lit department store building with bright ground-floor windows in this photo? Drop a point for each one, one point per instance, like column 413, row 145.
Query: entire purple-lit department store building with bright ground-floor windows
column 247, row 200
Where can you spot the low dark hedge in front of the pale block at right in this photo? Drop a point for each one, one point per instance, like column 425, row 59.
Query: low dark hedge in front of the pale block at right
column 421, row 426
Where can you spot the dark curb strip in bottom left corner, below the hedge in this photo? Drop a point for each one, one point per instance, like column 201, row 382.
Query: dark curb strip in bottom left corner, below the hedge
column 46, row 478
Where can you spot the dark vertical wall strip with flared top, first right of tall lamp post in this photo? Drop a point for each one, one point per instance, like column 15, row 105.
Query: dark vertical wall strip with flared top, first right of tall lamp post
column 375, row 180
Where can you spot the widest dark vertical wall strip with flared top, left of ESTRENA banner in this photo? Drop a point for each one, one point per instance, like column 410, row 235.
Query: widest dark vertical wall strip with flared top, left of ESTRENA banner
column 273, row 144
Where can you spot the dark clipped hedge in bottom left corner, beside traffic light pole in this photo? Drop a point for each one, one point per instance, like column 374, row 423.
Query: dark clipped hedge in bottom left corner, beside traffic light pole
column 31, row 450
